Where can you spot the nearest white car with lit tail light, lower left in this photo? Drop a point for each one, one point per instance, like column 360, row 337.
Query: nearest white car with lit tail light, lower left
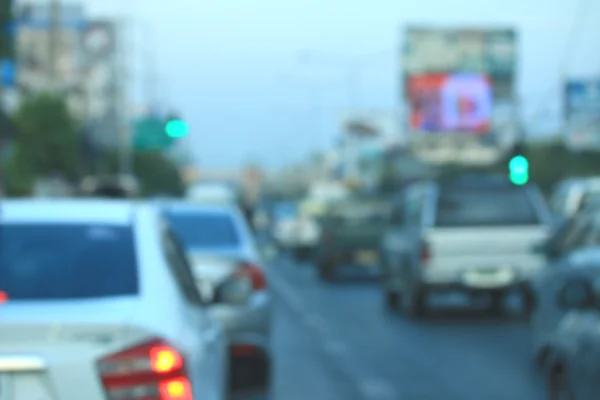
column 98, row 302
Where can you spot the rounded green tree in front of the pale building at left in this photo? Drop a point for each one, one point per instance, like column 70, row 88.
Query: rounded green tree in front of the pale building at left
column 47, row 140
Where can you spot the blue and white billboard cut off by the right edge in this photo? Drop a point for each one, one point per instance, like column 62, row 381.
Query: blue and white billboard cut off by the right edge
column 582, row 114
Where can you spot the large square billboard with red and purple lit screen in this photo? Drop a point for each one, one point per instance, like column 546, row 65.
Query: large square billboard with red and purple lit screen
column 454, row 78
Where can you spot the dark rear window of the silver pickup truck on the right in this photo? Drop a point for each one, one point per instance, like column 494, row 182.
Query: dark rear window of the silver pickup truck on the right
column 485, row 207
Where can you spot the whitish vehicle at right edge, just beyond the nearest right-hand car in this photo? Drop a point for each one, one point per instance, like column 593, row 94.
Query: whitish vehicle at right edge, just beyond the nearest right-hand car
column 572, row 195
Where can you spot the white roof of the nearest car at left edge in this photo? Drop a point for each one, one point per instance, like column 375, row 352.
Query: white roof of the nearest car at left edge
column 106, row 211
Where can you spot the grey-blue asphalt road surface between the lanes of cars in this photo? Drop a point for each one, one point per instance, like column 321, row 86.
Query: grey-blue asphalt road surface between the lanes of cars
column 384, row 356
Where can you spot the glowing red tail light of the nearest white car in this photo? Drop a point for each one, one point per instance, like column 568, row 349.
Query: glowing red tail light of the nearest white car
column 151, row 371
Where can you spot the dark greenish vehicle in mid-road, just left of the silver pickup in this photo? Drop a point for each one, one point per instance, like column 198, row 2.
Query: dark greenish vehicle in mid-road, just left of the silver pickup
column 352, row 231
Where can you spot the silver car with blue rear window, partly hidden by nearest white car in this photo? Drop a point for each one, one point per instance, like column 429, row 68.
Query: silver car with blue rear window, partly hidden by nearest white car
column 228, row 268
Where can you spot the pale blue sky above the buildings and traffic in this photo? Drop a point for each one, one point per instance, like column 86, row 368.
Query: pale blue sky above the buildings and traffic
column 231, row 66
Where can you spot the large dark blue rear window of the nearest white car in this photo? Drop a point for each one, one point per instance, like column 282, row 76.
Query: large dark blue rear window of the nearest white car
column 59, row 262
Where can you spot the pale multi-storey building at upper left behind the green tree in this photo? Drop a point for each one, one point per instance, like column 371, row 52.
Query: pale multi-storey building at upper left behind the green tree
column 84, row 67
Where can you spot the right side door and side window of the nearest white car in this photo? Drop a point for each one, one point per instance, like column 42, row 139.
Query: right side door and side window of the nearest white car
column 212, row 357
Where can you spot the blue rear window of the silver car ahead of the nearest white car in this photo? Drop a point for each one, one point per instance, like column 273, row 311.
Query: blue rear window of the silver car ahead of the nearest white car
column 198, row 230
